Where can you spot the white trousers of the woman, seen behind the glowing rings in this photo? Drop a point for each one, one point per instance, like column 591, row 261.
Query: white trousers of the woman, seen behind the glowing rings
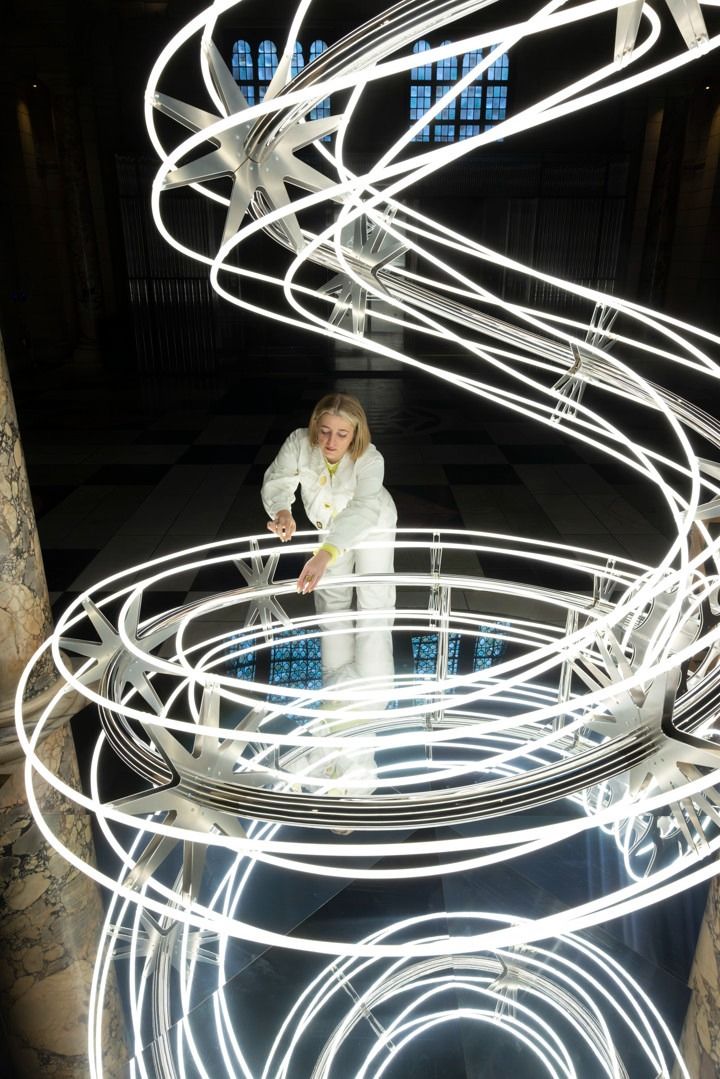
column 362, row 648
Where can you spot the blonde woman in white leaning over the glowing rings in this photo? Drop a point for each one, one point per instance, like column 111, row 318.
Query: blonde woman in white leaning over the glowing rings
column 341, row 476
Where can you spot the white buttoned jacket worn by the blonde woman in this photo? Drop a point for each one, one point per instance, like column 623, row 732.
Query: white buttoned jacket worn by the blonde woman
column 349, row 504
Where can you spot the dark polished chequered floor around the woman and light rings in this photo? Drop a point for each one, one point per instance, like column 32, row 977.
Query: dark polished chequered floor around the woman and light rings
column 126, row 469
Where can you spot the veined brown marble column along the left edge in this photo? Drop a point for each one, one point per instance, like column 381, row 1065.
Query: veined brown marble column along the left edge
column 50, row 913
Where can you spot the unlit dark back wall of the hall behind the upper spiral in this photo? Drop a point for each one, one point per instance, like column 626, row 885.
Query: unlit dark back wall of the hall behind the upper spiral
column 624, row 197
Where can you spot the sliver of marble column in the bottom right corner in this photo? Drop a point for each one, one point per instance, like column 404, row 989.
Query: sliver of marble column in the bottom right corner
column 701, row 1035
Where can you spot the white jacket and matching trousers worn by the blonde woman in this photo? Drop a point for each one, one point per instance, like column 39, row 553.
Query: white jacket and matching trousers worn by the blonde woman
column 350, row 507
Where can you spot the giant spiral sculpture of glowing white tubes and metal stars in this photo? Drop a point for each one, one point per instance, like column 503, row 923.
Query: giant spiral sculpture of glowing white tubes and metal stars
column 600, row 707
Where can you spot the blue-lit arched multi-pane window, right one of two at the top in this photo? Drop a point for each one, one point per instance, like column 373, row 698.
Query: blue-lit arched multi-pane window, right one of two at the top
column 481, row 106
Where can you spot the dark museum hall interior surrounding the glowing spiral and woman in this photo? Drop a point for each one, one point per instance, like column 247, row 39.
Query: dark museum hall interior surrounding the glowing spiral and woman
column 148, row 411
